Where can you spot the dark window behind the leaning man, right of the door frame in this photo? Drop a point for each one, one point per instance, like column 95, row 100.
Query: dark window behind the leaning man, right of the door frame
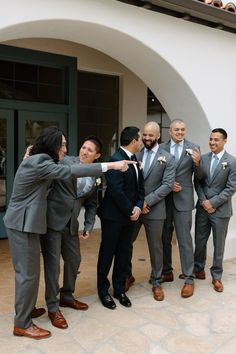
column 98, row 109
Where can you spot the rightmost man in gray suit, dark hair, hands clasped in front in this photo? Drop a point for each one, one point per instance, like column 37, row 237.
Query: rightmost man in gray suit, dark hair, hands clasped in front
column 215, row 188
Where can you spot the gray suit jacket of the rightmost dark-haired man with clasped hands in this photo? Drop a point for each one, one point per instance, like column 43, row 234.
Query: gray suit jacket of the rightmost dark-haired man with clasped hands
column 220, row 188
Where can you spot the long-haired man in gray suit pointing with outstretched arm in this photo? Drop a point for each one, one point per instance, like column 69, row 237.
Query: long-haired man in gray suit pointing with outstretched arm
column 26, row 220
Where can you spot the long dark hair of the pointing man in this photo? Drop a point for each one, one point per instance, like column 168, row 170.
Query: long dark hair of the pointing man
column 48, row 142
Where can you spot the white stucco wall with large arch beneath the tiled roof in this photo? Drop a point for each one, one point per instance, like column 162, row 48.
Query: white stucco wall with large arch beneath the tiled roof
column 190, row 68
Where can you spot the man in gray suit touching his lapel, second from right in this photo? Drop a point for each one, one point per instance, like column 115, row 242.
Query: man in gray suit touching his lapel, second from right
column 179, row 206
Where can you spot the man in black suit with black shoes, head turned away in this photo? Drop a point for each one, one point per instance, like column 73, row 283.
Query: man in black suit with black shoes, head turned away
column 121, row 206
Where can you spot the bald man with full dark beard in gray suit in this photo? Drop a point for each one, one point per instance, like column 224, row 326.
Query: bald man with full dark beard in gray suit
column 159, row 173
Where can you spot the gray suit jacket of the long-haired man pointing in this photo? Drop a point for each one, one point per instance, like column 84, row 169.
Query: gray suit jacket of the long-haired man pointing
column 27, row 208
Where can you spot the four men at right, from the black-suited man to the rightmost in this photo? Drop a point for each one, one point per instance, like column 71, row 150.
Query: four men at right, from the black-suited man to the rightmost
column 170, row 171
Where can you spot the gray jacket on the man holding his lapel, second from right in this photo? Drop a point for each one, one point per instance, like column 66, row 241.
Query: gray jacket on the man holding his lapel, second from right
column 184, row 200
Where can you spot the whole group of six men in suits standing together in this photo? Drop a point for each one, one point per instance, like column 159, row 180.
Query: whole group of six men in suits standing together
column 153, row 187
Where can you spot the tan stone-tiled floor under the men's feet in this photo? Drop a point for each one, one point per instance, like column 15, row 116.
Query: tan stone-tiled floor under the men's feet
column 202, row 324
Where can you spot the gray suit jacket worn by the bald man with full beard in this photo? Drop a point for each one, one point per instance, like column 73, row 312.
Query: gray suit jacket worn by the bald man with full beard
column 158, row 183
